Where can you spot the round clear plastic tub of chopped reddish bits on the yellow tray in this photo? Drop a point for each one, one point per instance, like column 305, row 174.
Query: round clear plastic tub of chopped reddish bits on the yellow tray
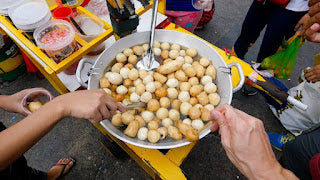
column 54, row 35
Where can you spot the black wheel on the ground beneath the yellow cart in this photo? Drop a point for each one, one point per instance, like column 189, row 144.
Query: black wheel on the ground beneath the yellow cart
column 113, row 148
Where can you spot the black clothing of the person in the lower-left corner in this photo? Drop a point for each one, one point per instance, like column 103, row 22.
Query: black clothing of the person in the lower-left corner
column 20, row 169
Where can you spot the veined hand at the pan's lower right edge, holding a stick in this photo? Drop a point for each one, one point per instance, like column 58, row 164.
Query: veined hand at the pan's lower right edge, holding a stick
column 246, row 143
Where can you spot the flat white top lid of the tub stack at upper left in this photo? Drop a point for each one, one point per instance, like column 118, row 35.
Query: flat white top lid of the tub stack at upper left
column 28, row 13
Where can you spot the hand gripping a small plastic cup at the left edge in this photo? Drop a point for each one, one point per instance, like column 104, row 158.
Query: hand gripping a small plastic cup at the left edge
column 14, row 101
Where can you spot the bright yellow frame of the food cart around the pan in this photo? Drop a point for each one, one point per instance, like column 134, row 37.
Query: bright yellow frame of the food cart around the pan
column 157, row 164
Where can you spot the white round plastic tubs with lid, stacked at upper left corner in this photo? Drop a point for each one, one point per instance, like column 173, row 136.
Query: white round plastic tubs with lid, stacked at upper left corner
column 30, row 14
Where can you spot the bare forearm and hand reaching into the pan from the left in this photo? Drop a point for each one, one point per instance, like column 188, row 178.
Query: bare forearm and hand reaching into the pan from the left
column 94, row 105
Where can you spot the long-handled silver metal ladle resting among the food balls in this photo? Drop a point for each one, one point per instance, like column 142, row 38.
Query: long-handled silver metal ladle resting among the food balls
column 148, row 62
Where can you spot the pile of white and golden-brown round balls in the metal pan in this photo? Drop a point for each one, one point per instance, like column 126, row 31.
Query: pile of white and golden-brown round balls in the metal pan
column 183, row 86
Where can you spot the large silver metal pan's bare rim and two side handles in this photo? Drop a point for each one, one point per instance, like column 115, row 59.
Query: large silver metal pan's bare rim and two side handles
column 223, row 79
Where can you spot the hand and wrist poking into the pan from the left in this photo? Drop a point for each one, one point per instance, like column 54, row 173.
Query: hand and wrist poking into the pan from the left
column 94, row 105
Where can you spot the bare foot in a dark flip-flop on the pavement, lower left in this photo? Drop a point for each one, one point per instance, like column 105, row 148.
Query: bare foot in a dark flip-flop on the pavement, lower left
column 61, row 168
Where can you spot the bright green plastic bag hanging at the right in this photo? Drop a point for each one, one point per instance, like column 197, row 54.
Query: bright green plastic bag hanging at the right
column 283, row 61
